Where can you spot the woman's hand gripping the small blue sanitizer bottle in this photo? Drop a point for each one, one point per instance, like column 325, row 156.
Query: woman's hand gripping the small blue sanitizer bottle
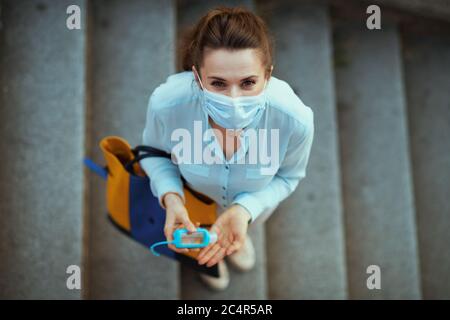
column 176, row 217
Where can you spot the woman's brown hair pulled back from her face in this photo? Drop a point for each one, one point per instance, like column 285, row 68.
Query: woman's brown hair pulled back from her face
column 227, row 28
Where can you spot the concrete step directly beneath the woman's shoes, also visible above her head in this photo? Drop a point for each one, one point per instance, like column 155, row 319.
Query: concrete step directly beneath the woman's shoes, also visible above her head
column 251, row 285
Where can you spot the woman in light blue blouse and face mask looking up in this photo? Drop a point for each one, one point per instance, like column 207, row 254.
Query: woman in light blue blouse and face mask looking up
column 227, row 89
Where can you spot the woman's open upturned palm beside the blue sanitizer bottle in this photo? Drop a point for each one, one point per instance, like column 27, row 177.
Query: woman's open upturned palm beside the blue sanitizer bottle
column 231, row 229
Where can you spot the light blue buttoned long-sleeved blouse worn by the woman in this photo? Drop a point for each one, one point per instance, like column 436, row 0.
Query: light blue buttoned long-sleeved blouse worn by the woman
column 176, row 104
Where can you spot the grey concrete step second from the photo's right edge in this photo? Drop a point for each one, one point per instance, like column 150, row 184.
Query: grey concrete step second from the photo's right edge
column 375, row 161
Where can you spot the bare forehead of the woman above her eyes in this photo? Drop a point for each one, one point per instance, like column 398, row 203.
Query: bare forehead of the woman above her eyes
column 232, row 64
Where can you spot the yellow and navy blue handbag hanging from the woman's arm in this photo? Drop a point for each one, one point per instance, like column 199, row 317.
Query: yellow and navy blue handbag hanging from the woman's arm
column 134, row 209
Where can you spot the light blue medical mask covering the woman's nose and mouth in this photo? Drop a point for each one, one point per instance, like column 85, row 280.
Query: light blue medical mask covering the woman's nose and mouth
column 233, row 113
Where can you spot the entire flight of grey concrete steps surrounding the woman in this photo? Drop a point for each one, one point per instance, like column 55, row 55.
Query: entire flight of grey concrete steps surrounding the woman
column 63, row 90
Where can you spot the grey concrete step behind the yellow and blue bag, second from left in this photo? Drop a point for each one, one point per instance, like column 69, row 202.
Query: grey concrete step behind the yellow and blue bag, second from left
column 131, row 52
